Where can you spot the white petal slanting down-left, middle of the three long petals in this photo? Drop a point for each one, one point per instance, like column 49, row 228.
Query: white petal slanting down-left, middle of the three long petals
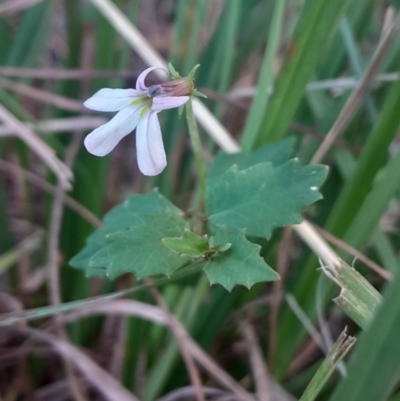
column 103, row 140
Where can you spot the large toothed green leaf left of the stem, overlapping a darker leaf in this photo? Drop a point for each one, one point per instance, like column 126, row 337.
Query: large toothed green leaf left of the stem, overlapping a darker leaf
column 140, row 249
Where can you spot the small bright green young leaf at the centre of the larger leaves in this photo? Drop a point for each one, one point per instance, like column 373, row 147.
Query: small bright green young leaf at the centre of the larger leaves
column 189, row 244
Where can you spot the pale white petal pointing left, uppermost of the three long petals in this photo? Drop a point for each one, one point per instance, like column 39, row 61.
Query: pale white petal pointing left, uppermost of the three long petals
column 107, row 99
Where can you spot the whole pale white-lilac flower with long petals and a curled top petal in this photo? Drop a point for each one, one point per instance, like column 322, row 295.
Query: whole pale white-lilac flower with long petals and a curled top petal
column 137, row 108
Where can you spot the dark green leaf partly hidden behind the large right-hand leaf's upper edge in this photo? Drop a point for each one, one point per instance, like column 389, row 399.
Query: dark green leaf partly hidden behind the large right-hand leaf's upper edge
column 276, row 153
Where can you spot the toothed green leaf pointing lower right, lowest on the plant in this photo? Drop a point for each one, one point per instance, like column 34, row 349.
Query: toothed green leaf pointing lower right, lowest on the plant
column 241, row 264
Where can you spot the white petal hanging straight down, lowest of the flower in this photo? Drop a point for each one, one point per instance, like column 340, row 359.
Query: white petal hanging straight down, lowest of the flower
column 149, row 145
